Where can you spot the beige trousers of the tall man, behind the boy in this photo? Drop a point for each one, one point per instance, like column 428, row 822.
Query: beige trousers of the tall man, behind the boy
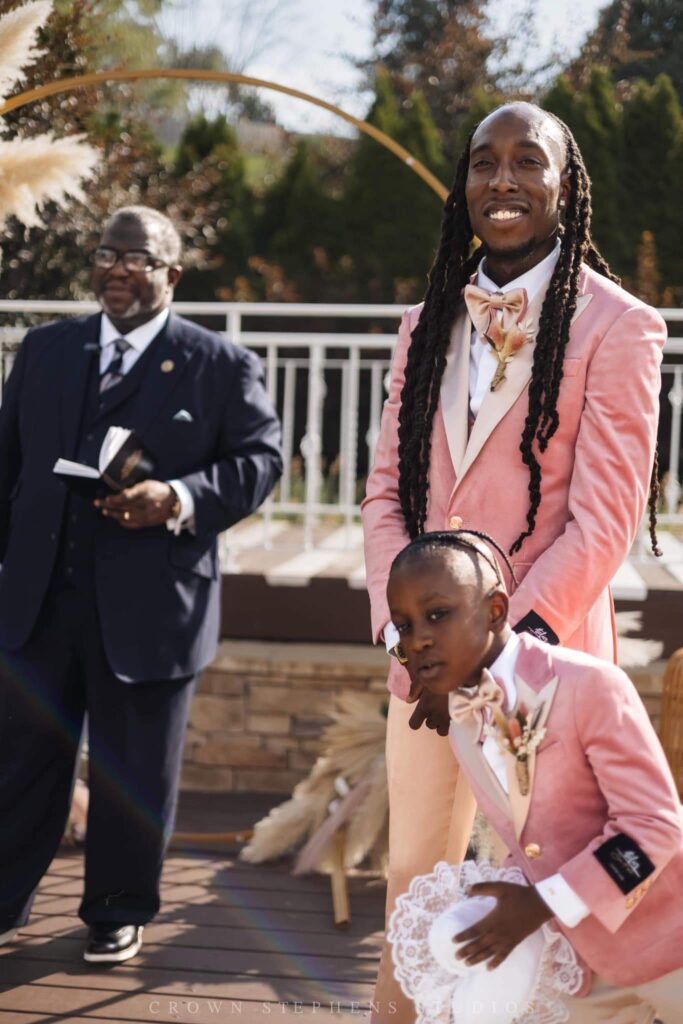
column 432, row 812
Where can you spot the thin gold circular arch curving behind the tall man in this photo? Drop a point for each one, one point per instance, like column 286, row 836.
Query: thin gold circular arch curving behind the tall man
column 81, row 81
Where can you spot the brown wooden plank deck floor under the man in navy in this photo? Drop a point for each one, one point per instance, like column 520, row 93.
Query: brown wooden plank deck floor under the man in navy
column 233, row 943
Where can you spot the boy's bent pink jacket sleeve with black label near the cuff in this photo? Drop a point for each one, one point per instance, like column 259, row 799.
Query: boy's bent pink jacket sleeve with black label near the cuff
column 633, row 776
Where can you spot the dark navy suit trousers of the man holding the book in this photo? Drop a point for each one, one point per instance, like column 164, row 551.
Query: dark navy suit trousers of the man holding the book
column 137, row 735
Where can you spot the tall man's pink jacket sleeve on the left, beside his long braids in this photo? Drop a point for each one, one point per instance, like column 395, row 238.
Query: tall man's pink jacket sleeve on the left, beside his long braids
column 383, row 526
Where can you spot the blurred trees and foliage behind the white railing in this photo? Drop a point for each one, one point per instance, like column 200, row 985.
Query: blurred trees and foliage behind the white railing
column 274, row 216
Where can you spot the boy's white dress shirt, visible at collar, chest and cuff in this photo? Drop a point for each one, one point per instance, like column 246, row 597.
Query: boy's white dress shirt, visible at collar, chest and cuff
column 561, row 898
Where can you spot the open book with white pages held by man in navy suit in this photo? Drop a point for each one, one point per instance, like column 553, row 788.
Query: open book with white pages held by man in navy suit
column 122, row 463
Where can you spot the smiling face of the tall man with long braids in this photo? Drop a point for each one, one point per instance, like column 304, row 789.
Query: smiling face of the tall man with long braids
column 516, row 182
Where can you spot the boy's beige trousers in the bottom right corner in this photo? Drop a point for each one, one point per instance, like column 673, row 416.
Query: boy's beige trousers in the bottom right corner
column 662, row 999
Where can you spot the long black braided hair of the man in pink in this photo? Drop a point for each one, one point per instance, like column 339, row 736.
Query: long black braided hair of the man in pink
column 454, row 266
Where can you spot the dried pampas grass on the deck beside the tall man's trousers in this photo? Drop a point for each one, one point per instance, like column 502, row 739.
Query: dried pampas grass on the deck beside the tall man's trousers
column 347, row 787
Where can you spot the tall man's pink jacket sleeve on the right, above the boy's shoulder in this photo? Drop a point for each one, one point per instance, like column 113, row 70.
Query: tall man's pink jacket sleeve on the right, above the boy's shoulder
column 611, row 479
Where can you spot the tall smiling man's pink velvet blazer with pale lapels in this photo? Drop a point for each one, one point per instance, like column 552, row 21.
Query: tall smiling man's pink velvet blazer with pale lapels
column 596, row 470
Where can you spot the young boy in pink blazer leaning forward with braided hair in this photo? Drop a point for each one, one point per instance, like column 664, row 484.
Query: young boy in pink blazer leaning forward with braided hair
column 584, row 800
